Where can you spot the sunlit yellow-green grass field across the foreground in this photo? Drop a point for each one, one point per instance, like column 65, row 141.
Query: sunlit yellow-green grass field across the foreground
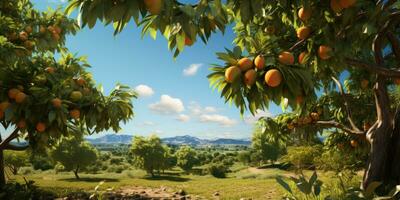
column 243, row 183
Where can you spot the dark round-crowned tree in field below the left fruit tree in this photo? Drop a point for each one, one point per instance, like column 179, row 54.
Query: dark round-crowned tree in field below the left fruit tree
column 74, row 154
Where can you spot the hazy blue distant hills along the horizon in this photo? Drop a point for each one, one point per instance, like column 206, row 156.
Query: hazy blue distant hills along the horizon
column 177, row 140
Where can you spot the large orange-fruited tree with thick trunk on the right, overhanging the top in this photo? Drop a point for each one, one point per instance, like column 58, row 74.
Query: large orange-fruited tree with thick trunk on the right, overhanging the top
column 331, row 39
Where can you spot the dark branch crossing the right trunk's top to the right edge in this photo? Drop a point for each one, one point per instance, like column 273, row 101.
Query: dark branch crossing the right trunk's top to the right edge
column 374, row 68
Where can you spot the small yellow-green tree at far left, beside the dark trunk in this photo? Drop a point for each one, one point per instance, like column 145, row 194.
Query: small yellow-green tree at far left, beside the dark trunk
column 14, row 160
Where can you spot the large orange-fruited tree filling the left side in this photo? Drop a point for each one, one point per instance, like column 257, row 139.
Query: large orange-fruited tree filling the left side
column 41, row 98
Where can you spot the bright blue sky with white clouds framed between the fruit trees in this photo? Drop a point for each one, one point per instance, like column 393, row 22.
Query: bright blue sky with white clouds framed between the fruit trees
column 175, row 95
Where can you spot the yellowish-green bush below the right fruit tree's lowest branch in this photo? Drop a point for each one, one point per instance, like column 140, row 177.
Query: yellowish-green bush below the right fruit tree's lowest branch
column 302, row 157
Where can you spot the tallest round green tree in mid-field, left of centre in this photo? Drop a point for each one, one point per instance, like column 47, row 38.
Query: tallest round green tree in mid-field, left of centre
column 149, row 153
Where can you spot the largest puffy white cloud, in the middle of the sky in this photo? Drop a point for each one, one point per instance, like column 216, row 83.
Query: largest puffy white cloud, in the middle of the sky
column 167, row 105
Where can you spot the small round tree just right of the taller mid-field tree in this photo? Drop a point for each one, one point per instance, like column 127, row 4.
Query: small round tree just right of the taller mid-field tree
column 186, row 158
